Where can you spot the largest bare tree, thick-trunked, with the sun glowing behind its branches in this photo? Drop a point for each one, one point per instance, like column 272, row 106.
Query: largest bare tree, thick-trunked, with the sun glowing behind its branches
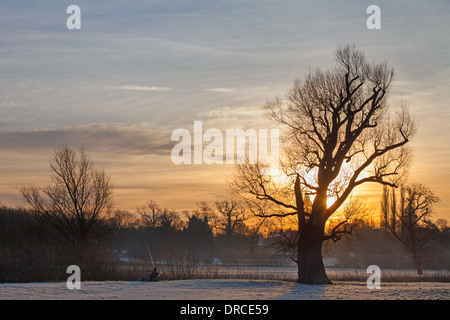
column 339, row 135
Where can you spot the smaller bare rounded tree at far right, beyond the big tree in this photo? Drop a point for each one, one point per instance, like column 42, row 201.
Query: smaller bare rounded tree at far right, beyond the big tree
column 411, row 225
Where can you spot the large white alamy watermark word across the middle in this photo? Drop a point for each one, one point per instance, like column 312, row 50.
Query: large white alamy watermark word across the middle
column 235, row 146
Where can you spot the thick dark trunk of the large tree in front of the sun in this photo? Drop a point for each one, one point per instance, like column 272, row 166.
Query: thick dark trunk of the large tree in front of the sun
column 311, row 269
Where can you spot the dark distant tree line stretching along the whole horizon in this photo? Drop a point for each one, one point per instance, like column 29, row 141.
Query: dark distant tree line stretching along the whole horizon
column 31, row 250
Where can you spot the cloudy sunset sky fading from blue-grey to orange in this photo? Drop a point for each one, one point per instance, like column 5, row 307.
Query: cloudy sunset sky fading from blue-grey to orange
column 138, row 70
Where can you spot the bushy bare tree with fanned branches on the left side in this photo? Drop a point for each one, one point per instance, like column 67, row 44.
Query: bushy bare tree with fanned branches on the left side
column 78, row 200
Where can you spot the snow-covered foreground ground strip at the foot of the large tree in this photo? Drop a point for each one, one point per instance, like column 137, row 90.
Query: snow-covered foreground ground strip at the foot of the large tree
column 223, row 290
